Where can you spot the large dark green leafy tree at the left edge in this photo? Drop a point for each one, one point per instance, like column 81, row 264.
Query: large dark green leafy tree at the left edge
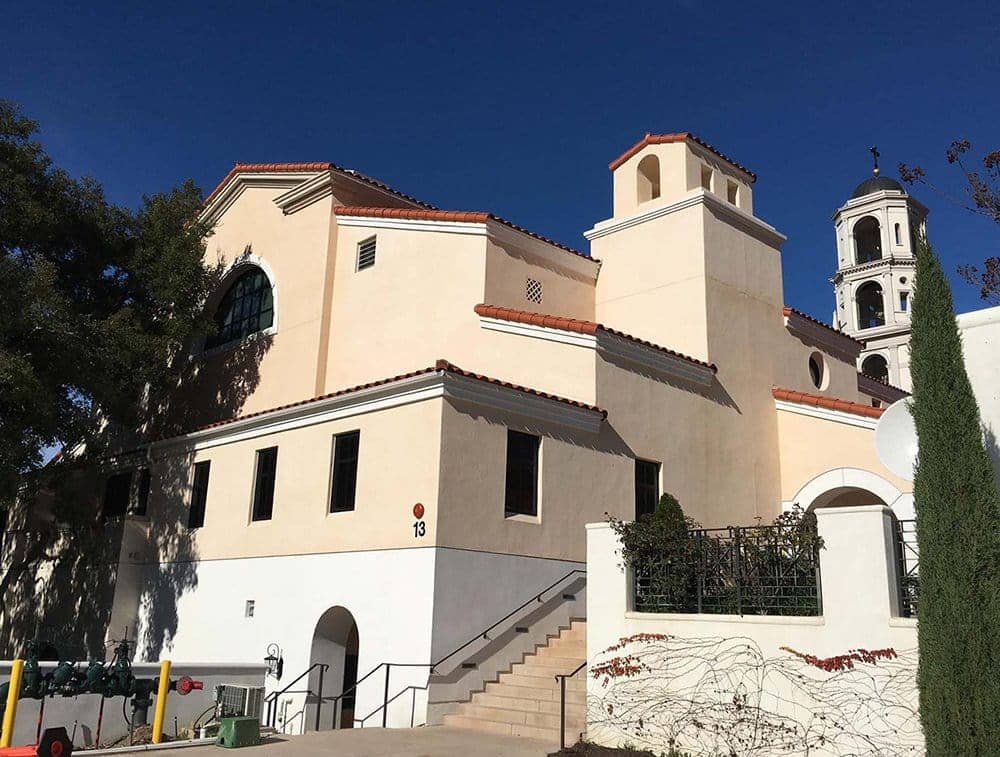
column 98, row 300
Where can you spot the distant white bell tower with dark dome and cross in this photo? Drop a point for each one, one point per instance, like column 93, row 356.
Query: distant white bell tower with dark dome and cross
column 877, row 231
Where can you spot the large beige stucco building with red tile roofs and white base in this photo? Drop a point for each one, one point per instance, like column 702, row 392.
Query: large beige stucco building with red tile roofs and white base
column 409, row 414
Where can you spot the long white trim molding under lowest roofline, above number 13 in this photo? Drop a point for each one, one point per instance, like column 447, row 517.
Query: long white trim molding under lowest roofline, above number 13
column 431, row 385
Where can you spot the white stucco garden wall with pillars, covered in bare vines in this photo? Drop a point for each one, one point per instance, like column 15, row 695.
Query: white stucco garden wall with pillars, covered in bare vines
column 710, row 662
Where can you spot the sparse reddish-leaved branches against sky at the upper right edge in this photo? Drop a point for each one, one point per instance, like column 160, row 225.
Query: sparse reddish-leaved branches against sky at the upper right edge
column 984, row 193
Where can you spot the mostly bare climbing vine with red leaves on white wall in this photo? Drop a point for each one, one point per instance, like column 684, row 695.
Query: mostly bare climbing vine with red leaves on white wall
column 723, row 696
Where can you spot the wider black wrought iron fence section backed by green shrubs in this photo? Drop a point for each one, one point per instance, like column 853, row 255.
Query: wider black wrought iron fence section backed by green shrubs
column 754, row 570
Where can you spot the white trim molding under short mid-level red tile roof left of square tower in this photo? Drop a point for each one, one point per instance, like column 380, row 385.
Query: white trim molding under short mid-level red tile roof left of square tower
column 610, row 345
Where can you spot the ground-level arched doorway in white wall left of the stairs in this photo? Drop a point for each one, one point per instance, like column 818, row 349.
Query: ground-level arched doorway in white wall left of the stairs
column 335, row 643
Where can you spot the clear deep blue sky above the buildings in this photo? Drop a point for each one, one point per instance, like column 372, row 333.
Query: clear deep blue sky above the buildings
column 518, row 108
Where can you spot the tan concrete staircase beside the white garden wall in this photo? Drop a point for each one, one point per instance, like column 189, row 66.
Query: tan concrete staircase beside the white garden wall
column 525, row 701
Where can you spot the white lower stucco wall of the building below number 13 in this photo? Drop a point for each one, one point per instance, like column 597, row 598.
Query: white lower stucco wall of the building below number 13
column 411, row 606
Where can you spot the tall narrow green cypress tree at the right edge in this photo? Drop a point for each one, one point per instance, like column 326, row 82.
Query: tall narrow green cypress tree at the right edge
column 958, row 531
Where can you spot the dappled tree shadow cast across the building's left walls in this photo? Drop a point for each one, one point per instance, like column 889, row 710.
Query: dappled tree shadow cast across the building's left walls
column 64, row 558
